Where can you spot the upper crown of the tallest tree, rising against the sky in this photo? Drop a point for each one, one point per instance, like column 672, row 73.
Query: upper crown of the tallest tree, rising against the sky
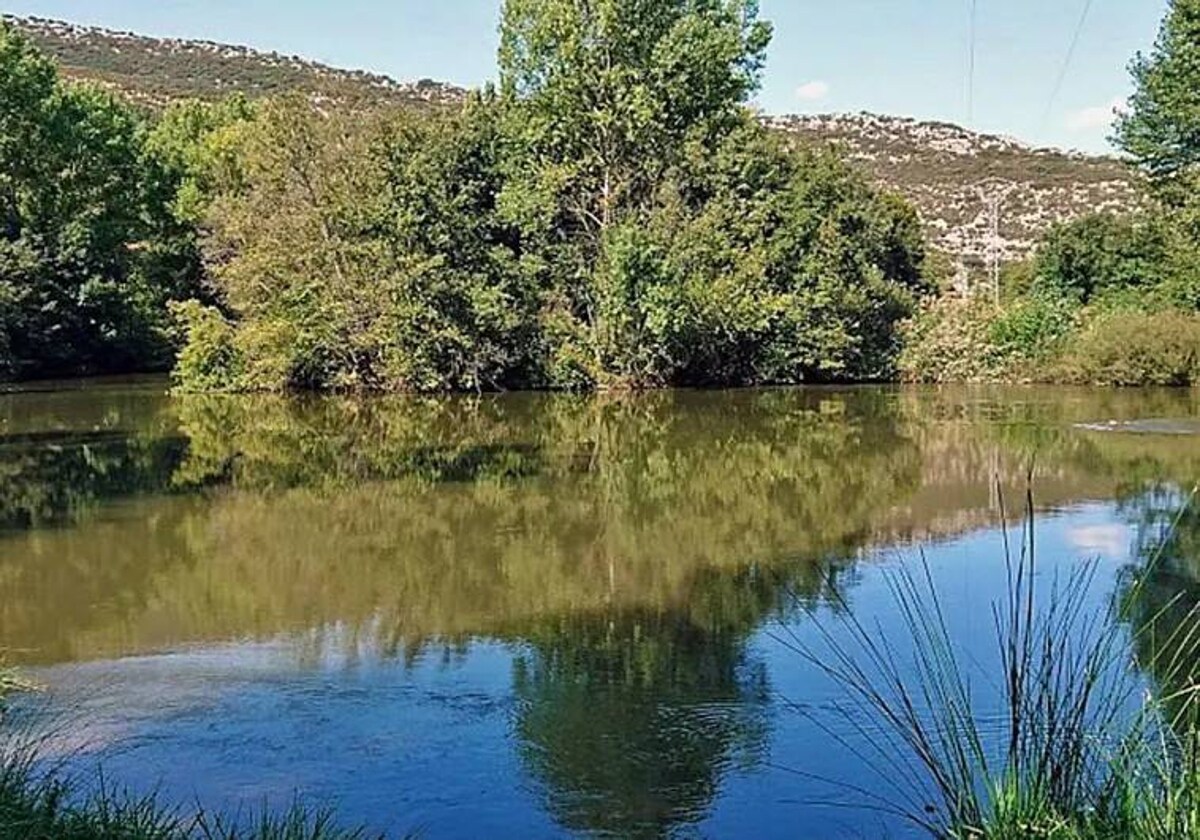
column 608, row 92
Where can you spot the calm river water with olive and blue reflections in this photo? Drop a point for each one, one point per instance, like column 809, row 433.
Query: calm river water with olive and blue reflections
column 536, row 616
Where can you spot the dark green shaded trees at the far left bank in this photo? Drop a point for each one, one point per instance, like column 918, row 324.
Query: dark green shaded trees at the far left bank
column 89, row 249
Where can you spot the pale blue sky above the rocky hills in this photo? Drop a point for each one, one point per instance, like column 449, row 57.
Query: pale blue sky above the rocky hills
column 893, row 57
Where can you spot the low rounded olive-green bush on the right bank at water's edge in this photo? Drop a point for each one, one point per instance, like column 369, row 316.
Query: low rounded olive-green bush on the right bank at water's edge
column 1136, row 349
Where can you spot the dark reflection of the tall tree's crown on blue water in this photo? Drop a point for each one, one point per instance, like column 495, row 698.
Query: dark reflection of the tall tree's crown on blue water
column 631, row 722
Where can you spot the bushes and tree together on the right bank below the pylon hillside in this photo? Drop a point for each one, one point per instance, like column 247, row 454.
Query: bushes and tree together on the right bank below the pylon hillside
column 1108, row 299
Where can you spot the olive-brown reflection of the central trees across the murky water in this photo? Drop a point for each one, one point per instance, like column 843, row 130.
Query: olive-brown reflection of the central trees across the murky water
column 417, row 520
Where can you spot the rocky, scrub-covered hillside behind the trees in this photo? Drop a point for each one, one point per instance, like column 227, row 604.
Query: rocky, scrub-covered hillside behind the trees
column 937, row 166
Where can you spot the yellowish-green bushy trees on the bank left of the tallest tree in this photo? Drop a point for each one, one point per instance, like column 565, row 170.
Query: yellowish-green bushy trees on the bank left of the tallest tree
column 363, row 254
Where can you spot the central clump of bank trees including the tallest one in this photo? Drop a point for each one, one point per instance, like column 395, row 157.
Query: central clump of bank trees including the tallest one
column 611, row 215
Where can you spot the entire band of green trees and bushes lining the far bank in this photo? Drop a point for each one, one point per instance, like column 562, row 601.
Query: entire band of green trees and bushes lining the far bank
column 610, row 214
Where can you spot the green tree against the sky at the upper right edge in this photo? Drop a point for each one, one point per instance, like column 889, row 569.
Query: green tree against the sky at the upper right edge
column 1162, row 128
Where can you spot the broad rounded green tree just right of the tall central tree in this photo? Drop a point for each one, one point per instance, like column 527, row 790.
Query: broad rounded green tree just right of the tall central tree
column 758, row 265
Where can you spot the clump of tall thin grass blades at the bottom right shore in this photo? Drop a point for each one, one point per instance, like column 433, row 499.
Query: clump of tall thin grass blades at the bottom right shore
column 1061, row 741
